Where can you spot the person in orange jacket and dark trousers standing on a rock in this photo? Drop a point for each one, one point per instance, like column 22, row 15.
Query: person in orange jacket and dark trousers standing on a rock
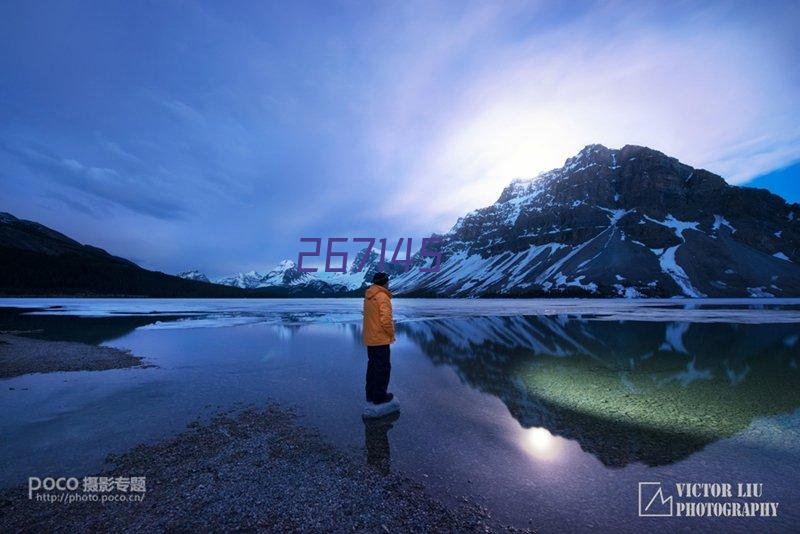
column 378, row 334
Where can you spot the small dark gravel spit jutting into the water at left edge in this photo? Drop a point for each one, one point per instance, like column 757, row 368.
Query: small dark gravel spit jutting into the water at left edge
column 21, row 355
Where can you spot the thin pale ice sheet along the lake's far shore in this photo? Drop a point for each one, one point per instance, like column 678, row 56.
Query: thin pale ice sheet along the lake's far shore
column 199, row 313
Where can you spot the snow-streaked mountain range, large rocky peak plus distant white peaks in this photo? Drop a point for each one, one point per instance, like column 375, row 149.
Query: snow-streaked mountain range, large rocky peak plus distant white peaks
column 631, row 222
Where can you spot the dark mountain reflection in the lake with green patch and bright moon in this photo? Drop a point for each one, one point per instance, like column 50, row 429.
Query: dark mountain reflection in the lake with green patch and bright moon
column 626, row 391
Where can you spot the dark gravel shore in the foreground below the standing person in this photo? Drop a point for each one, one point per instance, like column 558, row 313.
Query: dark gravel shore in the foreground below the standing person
column 258, row 470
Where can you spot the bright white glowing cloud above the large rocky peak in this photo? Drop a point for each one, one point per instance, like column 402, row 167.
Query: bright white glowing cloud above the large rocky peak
column 705, row 88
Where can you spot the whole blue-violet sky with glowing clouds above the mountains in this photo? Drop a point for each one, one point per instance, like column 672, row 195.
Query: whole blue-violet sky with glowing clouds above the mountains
column 213, row 135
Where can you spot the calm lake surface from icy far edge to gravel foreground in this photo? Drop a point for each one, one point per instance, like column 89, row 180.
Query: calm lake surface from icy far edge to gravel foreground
column 547, row 412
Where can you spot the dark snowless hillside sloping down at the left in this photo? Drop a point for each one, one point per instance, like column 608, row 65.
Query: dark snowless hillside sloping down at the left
column 36, row 260
